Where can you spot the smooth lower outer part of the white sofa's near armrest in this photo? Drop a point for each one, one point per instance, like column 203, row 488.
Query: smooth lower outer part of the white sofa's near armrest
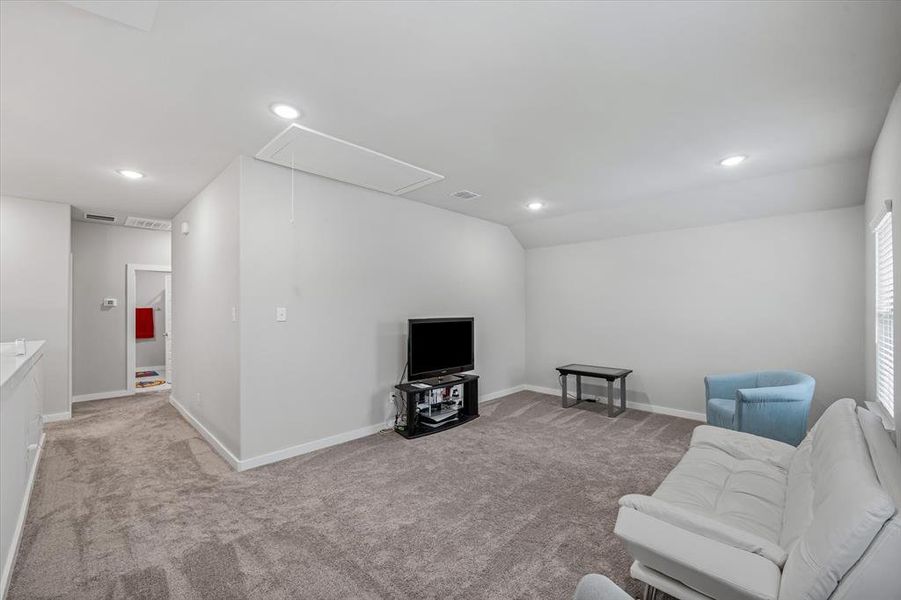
column 708, row 566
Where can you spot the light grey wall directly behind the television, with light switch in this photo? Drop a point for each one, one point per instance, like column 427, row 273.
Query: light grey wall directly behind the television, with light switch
column 351, row 269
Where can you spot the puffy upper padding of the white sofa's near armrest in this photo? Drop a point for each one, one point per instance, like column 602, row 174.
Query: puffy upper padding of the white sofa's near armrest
column 705, row 526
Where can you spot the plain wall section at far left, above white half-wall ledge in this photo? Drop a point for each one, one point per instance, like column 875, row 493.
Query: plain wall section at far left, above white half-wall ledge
column 34, row 287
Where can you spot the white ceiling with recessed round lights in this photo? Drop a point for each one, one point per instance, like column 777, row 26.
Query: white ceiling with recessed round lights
column 598, row 109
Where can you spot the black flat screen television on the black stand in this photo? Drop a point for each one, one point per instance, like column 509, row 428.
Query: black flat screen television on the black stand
column 438, row 347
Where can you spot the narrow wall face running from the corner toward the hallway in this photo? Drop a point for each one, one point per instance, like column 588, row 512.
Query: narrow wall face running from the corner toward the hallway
column 205, row 335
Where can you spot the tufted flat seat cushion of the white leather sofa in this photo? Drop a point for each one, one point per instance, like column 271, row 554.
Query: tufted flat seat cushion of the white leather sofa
column 736, row 478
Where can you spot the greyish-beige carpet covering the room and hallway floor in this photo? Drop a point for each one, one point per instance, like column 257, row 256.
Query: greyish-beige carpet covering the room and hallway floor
column 130, row 502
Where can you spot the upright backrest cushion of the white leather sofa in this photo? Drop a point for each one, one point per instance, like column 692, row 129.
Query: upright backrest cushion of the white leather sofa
column 847, row 506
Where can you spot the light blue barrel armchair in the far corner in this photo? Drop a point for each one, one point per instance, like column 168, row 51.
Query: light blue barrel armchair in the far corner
column 771, row 404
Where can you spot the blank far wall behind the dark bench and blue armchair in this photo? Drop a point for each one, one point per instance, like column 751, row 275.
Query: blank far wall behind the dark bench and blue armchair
column 776, row 293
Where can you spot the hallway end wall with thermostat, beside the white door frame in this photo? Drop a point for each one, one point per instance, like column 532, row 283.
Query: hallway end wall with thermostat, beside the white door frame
column 100, row 254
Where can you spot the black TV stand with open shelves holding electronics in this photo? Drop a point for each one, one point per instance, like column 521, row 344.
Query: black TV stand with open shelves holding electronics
column 413, row 393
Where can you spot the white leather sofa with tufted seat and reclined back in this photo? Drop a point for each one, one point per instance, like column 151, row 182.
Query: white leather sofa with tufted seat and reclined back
column 743, row 517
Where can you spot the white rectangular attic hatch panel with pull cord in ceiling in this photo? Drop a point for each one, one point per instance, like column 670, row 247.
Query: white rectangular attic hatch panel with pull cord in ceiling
column 312, row 151
